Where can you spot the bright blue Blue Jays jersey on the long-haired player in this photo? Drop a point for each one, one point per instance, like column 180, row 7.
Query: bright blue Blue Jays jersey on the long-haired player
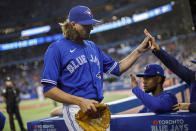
column 77, row 68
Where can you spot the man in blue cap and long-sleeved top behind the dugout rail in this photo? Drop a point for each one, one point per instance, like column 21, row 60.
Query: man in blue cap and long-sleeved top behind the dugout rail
column 153, row 78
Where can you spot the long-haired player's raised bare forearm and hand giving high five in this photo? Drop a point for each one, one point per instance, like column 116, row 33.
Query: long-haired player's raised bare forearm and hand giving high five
column 127, row 62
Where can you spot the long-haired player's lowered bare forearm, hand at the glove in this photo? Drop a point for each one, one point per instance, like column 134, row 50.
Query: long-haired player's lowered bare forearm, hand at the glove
column 63, row 97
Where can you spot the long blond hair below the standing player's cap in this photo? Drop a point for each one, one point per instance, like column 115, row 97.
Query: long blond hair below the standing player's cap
column 68, row 31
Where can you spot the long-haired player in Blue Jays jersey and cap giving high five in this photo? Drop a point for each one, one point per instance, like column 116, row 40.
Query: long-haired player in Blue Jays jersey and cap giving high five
column 74, row 66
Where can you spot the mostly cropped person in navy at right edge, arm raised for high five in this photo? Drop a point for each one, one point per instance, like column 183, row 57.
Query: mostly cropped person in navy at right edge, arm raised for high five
column 183, row 72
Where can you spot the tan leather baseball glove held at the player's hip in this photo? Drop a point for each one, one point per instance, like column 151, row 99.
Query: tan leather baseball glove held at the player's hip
column 94, row 121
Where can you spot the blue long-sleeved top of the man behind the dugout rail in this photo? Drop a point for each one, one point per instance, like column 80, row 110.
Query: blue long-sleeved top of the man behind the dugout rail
column 161, row 103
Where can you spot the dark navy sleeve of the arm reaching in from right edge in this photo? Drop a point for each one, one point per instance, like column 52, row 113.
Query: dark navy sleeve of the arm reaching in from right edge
column 183, row 72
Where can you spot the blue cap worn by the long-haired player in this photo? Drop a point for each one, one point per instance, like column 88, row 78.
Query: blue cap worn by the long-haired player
column 82, row 15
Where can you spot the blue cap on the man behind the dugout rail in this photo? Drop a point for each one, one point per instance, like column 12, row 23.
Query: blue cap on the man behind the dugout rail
column 152, row 70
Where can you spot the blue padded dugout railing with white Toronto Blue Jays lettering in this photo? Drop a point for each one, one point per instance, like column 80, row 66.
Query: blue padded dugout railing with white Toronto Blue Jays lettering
column 176, row 121
